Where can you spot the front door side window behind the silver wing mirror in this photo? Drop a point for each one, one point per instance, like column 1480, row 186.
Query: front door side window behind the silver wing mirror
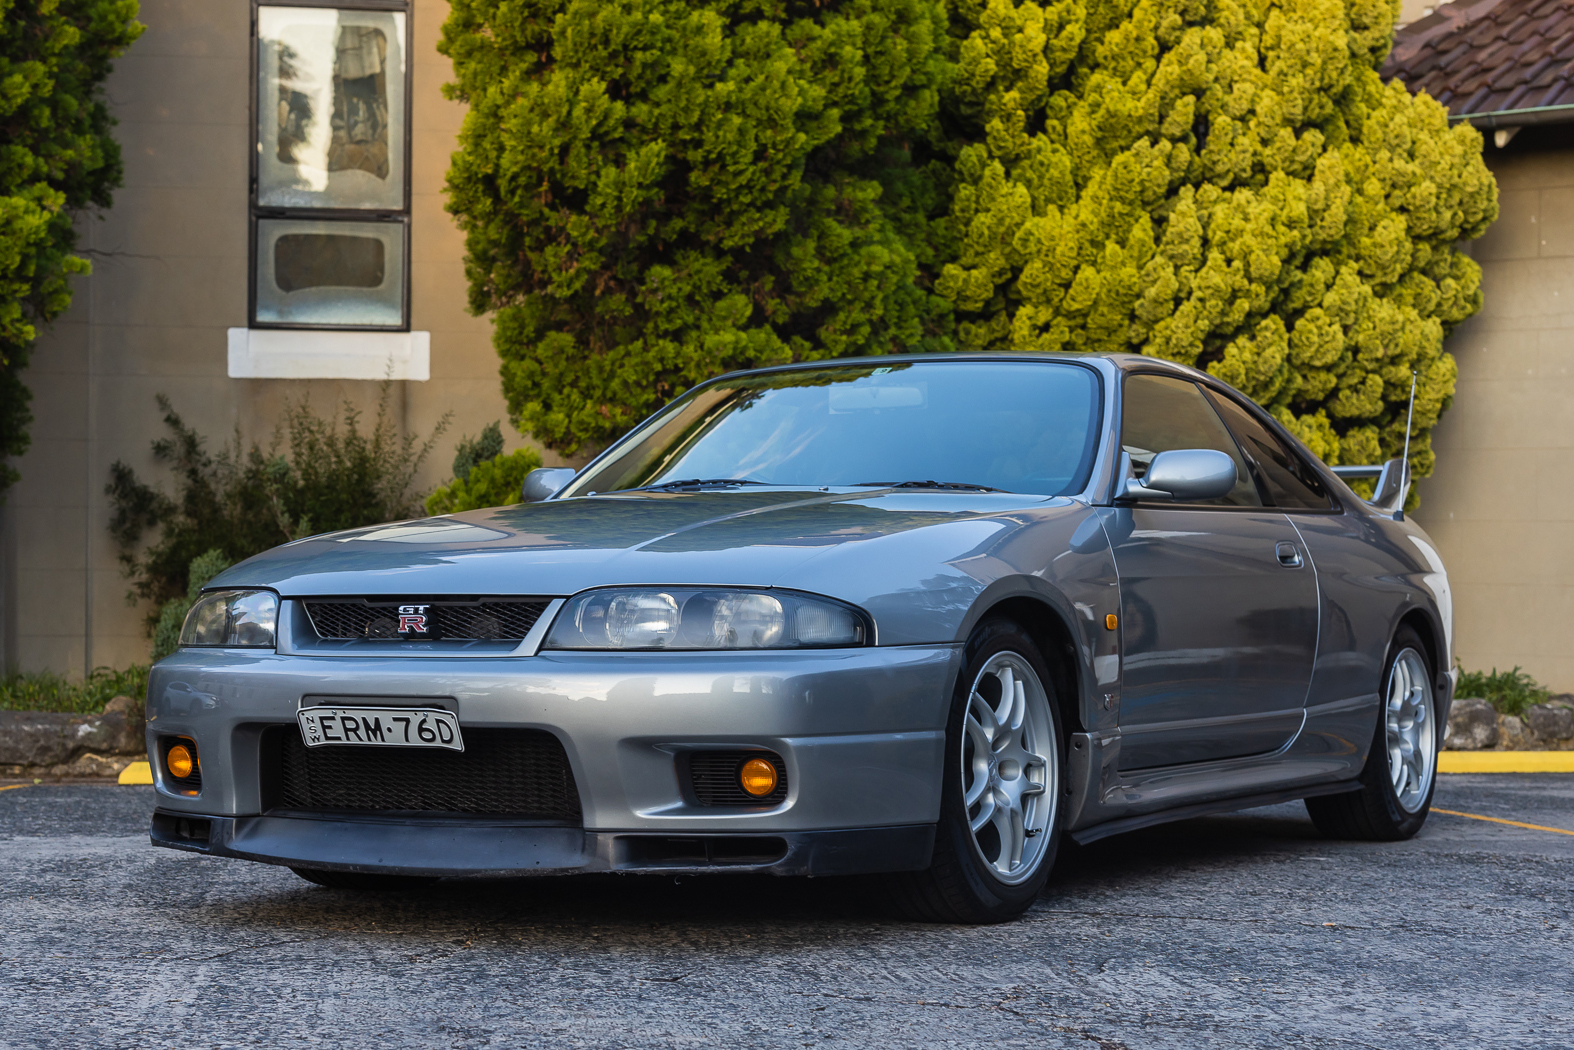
column 1162, row 413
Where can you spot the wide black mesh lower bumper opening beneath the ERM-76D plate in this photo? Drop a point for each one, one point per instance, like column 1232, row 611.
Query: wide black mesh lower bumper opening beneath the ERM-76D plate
column 501, row 774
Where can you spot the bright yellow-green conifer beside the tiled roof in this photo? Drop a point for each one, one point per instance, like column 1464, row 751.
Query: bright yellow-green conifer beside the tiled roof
column 1224, row 183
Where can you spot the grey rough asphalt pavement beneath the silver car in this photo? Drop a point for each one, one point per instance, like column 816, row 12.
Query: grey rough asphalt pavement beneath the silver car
column 1236, row 931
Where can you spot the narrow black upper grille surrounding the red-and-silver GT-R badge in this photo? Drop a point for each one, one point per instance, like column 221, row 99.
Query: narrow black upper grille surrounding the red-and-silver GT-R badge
column 460, row 619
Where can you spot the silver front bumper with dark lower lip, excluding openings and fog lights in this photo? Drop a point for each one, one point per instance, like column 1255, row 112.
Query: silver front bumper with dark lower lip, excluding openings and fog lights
column 862, row 734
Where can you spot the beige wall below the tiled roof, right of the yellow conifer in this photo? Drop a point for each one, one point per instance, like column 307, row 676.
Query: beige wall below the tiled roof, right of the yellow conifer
column 1501, row 505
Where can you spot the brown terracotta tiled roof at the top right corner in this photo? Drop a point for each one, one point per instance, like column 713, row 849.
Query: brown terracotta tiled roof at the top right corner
column 1490, row 56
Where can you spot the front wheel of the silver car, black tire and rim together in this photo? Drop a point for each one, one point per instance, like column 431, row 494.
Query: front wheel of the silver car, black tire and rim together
column 996, row 873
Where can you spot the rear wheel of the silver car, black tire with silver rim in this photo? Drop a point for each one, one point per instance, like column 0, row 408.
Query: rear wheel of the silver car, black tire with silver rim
column 1392, row 804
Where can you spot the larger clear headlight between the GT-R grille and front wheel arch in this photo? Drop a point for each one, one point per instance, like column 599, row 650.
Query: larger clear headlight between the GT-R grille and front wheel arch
column 704, row 618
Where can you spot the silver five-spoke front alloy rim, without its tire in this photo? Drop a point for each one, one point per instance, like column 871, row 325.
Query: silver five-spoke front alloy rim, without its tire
column 1010, row 767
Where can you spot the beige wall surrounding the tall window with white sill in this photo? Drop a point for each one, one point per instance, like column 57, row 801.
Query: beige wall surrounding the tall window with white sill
column 169, row 281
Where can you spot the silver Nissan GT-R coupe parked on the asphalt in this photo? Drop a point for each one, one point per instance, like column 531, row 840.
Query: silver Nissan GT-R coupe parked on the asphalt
column 915, row 616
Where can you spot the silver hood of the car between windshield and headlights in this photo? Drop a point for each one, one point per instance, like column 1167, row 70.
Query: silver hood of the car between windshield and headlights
column 911, row 550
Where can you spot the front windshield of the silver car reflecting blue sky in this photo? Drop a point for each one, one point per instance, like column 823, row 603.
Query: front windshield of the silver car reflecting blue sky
column 1019, row 427
